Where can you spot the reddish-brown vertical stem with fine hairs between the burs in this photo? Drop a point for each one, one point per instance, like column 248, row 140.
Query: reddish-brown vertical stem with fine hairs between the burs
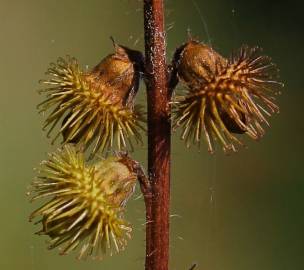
column 157, row 205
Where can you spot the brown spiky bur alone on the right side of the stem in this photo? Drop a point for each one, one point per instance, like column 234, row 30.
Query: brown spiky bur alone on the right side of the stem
column 223, row 96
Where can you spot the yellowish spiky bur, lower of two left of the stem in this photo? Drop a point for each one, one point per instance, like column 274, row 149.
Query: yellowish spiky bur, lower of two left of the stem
column 86, row 206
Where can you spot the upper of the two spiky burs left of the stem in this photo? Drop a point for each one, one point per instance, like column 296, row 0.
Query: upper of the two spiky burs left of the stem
column 96, row 106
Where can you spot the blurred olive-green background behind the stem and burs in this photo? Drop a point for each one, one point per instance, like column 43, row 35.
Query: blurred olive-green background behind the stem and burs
column 238, row 212
